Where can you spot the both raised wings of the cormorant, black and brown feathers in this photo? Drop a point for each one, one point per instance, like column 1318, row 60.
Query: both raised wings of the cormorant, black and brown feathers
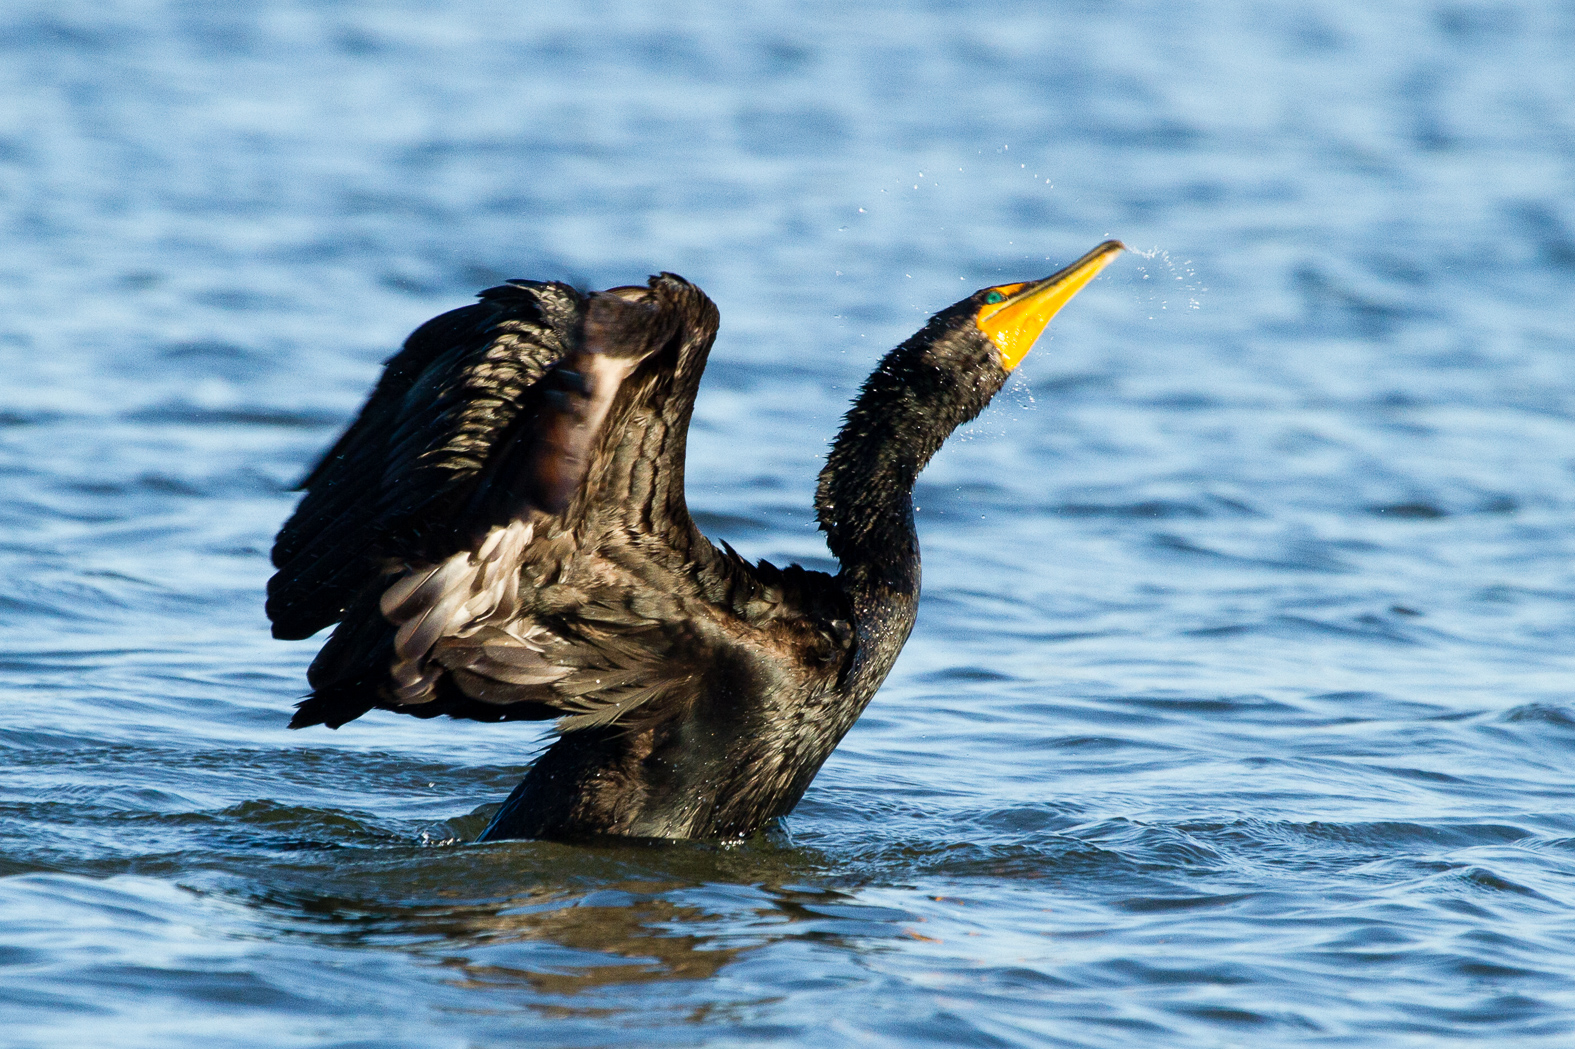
column 503, row 530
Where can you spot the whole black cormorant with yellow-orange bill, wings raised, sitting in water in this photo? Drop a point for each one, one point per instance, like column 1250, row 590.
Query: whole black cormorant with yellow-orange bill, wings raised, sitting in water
column 503, row 535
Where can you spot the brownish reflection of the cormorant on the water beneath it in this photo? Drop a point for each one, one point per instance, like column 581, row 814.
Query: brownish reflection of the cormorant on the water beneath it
column 569, row 921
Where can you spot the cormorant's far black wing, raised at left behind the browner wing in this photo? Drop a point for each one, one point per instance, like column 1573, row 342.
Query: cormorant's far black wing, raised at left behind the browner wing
column 399, row 480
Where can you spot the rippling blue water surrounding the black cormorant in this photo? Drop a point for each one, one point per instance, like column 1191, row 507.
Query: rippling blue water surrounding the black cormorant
column 1240, row 710
